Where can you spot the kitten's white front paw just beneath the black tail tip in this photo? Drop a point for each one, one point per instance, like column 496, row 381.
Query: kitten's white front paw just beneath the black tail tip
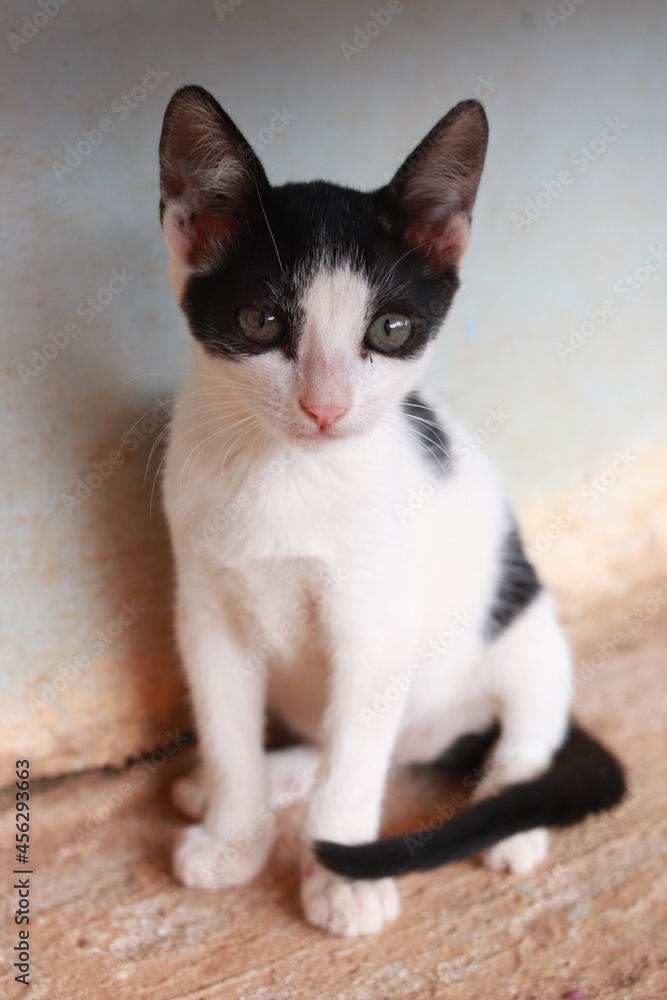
column 346, row 907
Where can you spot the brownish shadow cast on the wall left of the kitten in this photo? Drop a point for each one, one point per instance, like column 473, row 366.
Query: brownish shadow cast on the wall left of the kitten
column 112, row 687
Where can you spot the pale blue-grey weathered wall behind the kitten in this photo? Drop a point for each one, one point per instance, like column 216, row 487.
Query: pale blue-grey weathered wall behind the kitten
column 93, row 391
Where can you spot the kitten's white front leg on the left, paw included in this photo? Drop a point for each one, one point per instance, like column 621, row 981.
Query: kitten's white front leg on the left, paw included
column 230, row 845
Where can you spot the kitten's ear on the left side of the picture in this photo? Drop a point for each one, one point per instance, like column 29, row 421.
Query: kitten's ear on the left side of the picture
column 210, row 178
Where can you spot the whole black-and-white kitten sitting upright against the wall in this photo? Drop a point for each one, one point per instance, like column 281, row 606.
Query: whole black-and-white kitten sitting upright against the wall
column 379, row 638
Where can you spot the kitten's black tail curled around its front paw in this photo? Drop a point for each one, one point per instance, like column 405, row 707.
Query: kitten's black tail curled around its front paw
column 584, row 778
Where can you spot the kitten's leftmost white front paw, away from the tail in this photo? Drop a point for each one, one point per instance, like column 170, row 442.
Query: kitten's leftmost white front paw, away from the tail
column 202, row 862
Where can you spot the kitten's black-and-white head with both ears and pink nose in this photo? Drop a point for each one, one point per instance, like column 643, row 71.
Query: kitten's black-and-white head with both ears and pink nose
column 314, row 303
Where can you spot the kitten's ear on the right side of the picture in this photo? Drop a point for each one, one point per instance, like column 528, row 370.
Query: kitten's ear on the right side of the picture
column 435, row 188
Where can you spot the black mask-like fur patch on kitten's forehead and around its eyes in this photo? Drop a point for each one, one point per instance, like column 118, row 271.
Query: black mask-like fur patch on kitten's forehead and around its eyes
column 300, row 229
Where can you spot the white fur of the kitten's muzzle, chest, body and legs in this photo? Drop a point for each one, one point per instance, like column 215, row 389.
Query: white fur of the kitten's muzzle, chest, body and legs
column 316, row 593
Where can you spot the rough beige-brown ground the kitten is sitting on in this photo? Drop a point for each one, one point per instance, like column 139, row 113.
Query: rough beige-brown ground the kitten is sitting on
column 110, row 921
